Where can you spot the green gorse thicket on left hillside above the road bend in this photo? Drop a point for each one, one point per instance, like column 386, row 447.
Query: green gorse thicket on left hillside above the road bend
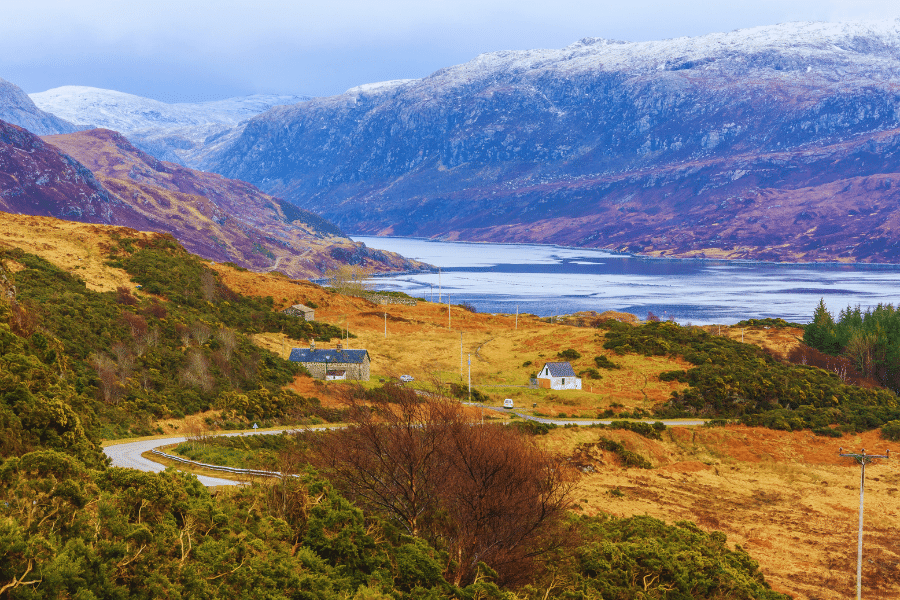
column 120, row 359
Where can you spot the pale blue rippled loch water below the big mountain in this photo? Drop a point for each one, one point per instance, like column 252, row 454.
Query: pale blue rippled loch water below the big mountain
column 550, row 280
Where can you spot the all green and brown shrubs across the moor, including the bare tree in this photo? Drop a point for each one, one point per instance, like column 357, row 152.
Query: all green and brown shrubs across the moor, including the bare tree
column 485, row 512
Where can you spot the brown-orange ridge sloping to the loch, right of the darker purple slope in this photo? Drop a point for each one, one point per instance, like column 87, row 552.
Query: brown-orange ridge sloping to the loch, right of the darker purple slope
column 217, row 218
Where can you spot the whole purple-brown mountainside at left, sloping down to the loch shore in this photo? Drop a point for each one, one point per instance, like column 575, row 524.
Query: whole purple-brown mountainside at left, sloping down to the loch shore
column 98, row 176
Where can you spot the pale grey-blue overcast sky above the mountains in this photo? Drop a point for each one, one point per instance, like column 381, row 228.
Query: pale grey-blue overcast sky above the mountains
column 193, row 50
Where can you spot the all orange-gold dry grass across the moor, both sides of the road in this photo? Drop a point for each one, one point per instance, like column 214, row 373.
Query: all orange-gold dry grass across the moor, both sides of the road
column 785, row 497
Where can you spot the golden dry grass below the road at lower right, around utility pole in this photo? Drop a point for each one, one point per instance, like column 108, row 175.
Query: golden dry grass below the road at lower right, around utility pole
column 785, row 497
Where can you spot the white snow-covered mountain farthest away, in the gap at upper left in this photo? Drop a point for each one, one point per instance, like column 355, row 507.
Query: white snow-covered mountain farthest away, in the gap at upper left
column 167, row 131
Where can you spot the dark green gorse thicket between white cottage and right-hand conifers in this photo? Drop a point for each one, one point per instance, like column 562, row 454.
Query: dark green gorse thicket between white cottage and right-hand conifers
column 734, row 380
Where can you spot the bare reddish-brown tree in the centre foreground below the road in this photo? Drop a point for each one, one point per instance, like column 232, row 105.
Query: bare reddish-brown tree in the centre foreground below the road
column 482, row 493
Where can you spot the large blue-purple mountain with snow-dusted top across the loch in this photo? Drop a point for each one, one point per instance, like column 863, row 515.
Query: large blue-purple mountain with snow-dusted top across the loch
column 774, row 142
